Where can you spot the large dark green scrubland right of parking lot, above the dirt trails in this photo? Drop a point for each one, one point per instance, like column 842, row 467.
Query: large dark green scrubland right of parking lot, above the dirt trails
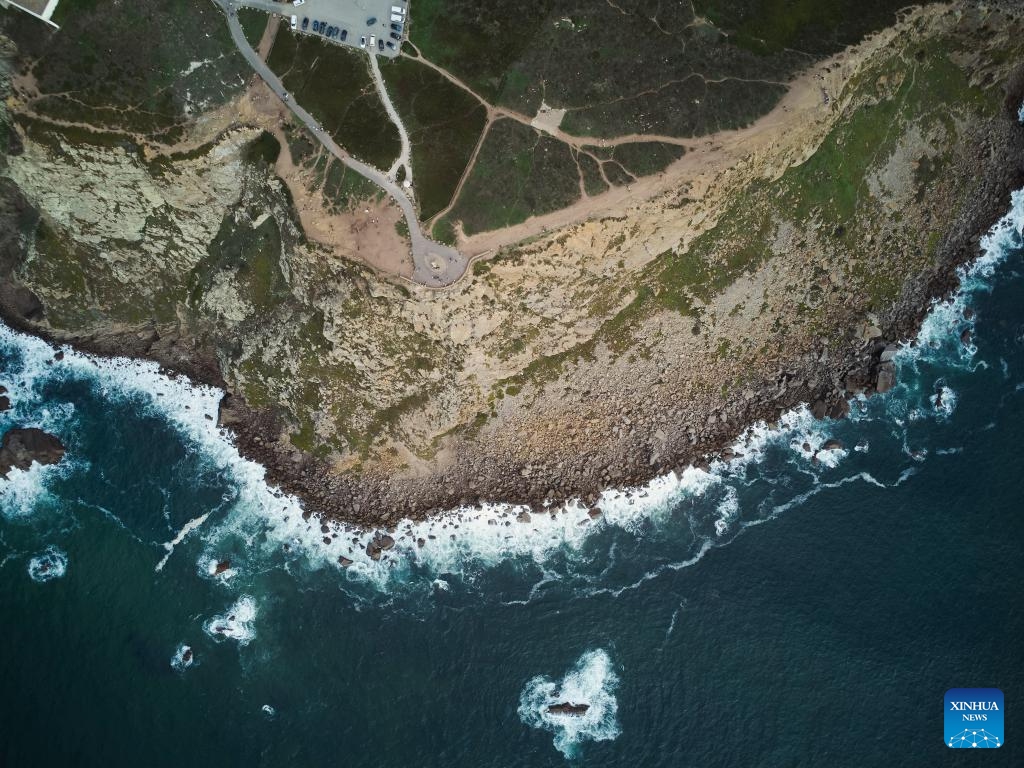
column 635, row 67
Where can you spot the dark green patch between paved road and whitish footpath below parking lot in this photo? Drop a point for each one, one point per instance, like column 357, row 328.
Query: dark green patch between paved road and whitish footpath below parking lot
column 334, row 84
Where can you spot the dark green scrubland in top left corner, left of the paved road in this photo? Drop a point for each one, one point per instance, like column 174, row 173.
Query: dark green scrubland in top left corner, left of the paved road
column 131, row 67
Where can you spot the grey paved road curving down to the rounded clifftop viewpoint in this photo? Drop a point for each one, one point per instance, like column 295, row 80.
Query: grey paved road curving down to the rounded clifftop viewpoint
column 436, row 266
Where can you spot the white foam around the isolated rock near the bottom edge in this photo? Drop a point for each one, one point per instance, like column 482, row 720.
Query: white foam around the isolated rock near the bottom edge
column 592, row 682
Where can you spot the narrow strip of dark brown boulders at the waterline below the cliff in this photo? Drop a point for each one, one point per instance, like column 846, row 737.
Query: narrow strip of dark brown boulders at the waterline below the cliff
column 374, row 502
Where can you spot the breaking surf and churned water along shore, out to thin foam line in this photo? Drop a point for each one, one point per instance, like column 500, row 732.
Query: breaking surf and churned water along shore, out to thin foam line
column 636, row 534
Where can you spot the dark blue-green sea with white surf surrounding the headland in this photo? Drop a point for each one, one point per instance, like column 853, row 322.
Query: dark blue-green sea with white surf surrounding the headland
column 796, row 608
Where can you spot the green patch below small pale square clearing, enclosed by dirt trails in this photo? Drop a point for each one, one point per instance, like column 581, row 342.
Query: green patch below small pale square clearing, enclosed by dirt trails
column 519, row 175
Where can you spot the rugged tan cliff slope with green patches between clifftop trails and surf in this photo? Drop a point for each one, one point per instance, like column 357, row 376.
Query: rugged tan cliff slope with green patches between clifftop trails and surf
column 599, row 355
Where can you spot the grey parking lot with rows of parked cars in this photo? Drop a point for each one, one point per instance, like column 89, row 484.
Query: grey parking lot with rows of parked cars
column 361, row 24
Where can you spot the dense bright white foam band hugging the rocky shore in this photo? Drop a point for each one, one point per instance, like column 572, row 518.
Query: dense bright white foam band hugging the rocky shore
column 265, row 519
